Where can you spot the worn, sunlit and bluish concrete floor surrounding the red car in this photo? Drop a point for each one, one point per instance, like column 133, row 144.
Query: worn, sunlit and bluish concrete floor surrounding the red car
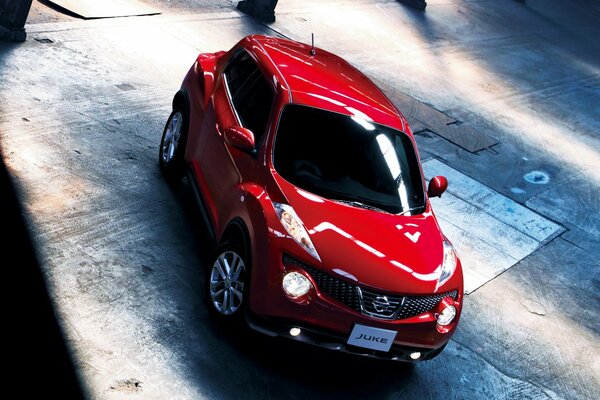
column 82, row 107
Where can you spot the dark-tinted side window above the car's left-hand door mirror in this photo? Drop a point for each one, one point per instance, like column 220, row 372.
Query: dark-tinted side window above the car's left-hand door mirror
column 251, row 94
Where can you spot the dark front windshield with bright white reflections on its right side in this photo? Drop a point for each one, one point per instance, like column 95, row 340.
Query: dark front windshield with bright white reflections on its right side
column 349, row 159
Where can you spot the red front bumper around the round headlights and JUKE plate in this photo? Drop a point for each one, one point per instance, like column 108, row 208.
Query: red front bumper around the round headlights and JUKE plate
column 327, row 318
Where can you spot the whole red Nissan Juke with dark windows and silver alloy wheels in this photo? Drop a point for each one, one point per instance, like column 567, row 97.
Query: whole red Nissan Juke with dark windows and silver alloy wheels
column 311, row 186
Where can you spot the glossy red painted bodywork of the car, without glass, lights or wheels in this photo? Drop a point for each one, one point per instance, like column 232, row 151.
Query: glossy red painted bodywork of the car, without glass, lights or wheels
column 394, row 255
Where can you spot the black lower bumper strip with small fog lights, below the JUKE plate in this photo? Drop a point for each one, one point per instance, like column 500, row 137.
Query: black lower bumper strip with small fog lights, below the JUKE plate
column 319, row 337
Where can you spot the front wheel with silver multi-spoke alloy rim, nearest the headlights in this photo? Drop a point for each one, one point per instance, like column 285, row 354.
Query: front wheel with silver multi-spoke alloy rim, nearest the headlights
column 227, row 283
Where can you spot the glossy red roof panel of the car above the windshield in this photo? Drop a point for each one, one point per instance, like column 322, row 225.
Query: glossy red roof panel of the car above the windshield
column 327, row 81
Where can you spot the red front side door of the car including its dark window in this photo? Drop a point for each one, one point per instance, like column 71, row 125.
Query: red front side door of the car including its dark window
column 242, row 97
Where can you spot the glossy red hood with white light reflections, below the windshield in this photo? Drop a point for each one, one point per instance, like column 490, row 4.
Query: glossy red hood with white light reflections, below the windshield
column 399, row 254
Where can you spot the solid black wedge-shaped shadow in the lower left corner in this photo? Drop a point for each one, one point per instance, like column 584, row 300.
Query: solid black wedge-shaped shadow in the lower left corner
column 38, row 358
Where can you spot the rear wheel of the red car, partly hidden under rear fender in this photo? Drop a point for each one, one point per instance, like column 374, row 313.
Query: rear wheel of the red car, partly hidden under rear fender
column 172, row 146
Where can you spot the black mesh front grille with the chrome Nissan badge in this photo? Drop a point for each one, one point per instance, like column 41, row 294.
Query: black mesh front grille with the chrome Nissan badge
column 367, row 301
